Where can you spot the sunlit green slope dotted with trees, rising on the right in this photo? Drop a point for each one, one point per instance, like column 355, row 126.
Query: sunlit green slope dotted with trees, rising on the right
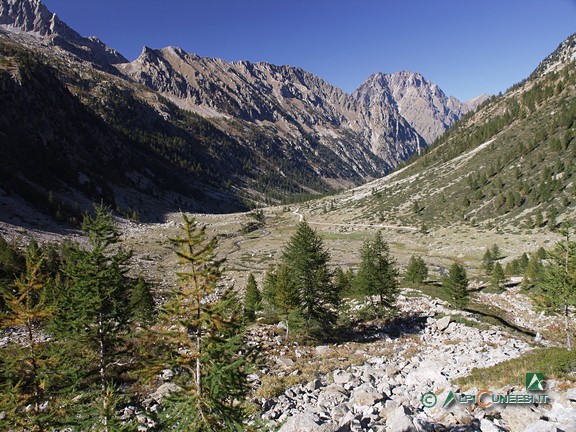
column 510, row 162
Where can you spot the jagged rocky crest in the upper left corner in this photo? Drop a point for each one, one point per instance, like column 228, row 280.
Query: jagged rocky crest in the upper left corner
column 32, row 18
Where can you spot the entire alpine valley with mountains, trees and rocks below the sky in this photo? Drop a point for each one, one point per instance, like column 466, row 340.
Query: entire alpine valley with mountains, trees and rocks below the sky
column 287, row 172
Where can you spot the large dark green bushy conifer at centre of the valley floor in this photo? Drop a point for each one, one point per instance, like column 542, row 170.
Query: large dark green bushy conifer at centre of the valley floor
column 307, row 289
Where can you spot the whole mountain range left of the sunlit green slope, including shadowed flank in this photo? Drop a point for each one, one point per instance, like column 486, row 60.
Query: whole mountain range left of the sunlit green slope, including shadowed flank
column 172, row 130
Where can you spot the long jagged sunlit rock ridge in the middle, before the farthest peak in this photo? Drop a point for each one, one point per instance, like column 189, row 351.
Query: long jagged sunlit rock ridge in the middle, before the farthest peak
column 291, row 102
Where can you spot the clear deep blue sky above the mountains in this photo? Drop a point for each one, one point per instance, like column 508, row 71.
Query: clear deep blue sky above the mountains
column 467, row 47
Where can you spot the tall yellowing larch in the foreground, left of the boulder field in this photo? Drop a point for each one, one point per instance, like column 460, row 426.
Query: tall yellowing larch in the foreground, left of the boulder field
column 200, row 337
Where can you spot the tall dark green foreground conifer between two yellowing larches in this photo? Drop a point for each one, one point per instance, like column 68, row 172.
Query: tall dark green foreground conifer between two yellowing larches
column 93, row 315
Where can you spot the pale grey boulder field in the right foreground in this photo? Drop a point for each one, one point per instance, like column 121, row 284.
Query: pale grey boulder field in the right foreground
column 385, row 392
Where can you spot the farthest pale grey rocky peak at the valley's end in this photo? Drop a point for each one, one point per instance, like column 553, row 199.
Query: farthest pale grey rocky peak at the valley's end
column 422, row 103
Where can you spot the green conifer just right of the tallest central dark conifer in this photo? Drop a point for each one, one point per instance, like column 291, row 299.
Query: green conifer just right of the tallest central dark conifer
column 378, row 275
